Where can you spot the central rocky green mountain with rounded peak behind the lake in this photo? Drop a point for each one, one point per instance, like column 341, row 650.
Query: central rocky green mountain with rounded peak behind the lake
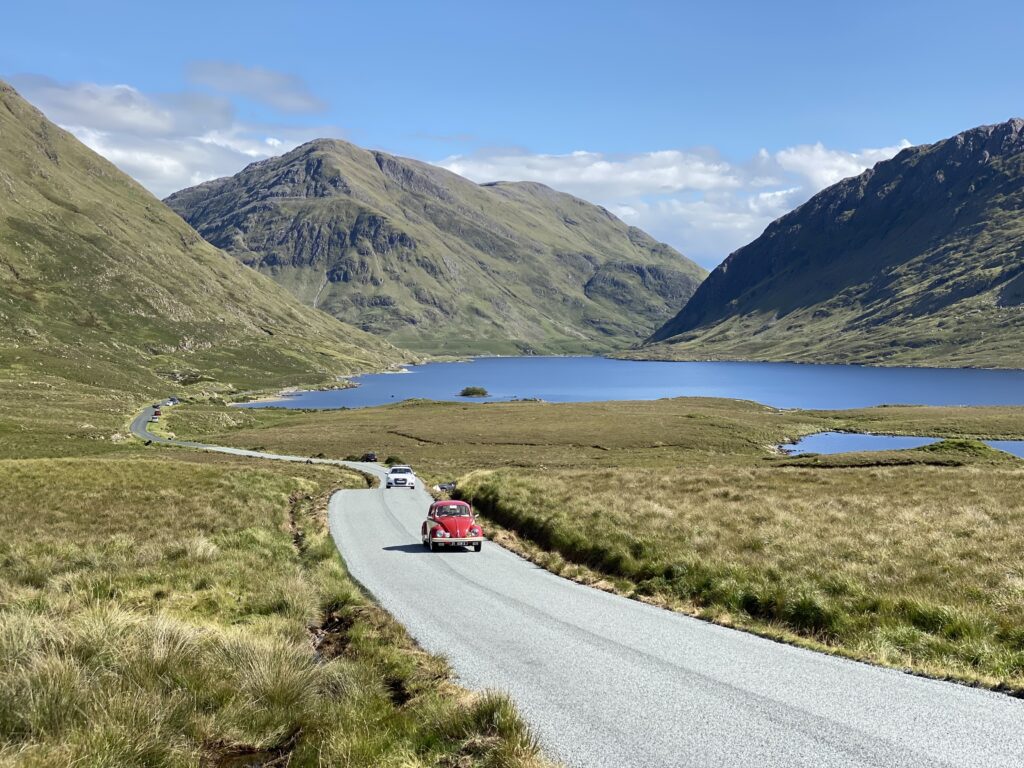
column 437, row 263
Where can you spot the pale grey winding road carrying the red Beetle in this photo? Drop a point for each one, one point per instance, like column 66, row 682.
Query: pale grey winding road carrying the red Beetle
column 608, row 681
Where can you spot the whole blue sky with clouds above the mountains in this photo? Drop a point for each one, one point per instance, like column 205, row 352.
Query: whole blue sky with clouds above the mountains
column 699, row 122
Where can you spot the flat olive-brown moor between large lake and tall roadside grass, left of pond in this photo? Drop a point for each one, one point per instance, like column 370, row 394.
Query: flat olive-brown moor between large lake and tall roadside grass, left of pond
column 445, row 440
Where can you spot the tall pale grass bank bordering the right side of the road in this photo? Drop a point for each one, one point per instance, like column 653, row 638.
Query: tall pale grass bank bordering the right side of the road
column 910, row 567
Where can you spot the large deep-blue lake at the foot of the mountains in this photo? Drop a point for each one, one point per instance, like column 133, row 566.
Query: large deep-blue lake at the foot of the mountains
column 585, row 379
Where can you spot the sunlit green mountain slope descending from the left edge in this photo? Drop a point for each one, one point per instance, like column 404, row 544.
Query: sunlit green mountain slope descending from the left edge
column 102, row 284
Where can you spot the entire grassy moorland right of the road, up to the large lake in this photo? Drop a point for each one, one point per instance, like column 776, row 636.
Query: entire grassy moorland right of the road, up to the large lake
column 907, row 559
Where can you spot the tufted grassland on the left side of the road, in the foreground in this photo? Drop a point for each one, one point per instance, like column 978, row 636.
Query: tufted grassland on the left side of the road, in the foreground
column 190, row 610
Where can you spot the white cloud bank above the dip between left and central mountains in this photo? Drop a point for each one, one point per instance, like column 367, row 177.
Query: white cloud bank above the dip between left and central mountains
column 165, row 142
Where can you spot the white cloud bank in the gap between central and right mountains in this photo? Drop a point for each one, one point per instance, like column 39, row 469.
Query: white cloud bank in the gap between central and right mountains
column 705, row 206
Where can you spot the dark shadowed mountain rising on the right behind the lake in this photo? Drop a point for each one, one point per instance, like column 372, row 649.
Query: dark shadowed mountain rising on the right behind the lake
column 918, row 262
